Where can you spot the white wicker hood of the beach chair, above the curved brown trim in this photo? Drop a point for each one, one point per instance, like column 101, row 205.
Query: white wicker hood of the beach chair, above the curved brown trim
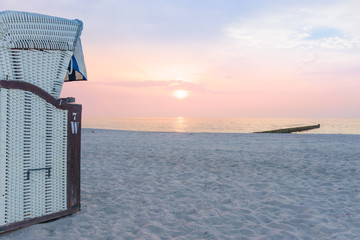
column 37, row 48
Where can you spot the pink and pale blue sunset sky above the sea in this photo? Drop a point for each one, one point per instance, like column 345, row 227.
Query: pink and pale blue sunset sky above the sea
column 207, row 58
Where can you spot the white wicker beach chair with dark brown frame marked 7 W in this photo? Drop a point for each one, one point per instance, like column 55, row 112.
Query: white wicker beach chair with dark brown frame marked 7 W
column 35, row 125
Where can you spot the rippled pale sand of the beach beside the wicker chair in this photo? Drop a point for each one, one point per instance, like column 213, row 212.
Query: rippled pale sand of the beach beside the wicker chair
column 138, row 185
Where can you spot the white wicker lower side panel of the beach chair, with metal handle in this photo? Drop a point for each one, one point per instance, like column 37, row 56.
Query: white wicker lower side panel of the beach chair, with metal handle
column 38, row 140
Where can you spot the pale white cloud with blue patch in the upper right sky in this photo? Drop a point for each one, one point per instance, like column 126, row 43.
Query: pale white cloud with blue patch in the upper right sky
column 330, row 28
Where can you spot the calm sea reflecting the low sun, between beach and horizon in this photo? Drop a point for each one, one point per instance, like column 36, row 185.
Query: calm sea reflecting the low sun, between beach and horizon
column 222, row 125
